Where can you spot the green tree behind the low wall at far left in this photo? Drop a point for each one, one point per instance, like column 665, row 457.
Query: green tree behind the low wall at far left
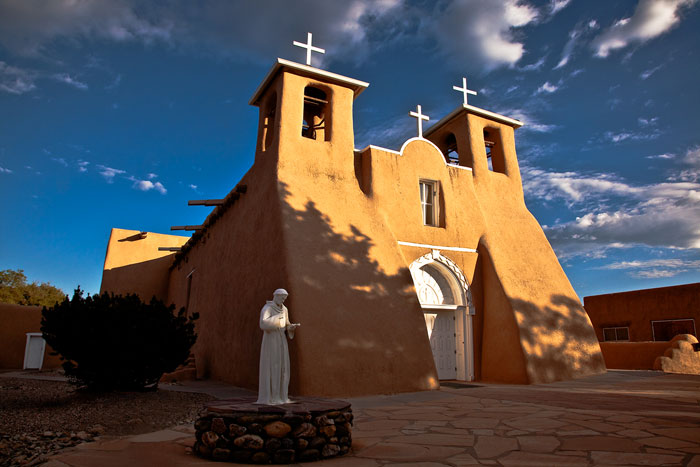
column 14, row 289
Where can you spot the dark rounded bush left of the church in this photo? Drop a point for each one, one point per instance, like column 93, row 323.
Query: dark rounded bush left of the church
column 112, row 342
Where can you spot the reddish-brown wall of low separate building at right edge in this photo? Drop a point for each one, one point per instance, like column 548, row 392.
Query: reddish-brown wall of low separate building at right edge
column 637, row 309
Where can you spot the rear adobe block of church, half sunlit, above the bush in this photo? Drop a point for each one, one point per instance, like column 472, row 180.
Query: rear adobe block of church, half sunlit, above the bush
column 134, row 265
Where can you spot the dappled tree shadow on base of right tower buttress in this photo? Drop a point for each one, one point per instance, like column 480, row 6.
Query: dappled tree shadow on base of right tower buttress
column 556, row 341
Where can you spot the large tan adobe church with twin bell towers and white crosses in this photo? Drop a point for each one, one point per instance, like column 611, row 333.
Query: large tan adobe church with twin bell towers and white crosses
column 404, row 267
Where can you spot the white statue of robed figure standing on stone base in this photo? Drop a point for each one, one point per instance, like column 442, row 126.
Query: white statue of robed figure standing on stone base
column 274, row 354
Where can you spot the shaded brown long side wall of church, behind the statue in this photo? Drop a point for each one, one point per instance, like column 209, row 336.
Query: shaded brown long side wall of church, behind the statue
column 237, row 264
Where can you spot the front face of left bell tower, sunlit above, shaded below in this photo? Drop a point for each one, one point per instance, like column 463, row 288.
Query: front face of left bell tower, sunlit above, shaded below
column 362, row 329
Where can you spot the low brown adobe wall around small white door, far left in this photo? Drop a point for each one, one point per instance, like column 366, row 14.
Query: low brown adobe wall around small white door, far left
column 17, row 321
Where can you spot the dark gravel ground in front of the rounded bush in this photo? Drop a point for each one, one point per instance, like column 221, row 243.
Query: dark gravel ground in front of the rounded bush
column 38, row 418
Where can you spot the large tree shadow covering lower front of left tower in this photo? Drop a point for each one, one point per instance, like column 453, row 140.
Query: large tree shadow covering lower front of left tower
column 362, row 329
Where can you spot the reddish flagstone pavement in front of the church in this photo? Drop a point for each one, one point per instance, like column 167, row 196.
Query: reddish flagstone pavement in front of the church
column 619, row 418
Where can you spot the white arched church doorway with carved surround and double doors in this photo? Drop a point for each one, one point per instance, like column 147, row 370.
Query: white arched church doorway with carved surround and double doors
column 444, row 296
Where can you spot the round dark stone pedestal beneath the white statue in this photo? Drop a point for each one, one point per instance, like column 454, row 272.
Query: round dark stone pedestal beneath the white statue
column 237, row 430
